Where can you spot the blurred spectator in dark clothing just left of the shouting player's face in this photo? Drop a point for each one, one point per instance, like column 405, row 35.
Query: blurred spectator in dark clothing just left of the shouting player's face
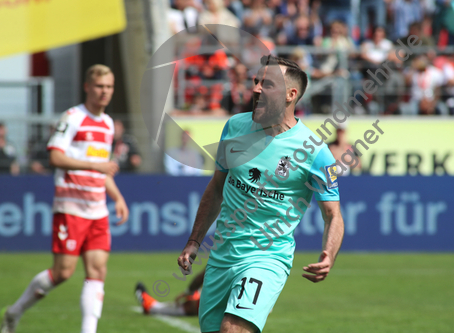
column 239, row 97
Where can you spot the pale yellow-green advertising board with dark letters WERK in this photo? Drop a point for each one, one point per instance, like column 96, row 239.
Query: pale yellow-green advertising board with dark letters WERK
column 407, row 145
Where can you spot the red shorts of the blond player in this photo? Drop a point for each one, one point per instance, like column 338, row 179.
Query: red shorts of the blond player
column 75, row 235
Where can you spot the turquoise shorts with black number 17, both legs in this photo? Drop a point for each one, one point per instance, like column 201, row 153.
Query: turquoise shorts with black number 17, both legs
column 248, row 291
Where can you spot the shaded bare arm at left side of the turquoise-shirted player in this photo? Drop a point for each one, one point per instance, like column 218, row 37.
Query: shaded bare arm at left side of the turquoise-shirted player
column 209, row 208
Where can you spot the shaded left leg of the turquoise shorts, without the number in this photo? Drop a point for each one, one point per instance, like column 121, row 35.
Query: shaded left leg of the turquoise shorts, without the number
column 214, row 297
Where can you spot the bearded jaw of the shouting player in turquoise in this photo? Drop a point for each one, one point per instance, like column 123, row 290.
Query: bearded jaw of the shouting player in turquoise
column 268, row 112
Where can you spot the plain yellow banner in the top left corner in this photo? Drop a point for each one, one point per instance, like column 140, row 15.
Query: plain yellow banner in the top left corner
column 38, row 25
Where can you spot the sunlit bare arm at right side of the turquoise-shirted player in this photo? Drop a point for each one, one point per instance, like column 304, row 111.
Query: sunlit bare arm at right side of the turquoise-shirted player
column 332, row 240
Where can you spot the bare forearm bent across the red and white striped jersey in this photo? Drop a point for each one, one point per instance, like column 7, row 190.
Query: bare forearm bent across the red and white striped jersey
column 58, row 159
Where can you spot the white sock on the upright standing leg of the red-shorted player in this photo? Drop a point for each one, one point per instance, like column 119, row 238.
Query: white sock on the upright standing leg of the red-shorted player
column 91, row 304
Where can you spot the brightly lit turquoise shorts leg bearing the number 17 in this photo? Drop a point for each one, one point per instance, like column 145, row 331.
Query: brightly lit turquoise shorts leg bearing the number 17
column 255, row 290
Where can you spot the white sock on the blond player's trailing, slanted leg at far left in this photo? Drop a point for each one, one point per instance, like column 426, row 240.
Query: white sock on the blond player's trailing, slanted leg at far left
column 40, row 285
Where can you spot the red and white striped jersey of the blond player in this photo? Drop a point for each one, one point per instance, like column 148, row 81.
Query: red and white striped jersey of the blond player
column 82, row 136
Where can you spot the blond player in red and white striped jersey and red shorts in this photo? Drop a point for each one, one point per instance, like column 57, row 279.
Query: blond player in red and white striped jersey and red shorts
column 80, row 150
